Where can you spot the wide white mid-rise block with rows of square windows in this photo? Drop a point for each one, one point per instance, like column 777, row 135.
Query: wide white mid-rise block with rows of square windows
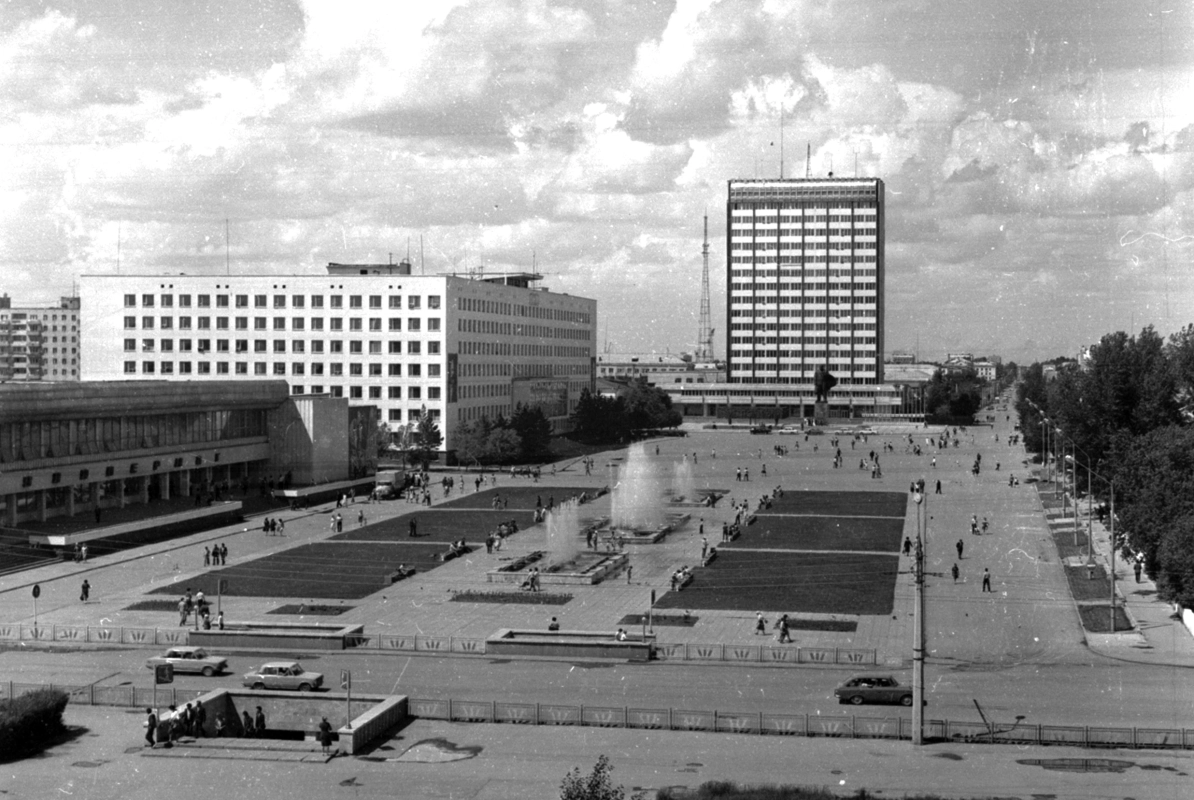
column 459, row 348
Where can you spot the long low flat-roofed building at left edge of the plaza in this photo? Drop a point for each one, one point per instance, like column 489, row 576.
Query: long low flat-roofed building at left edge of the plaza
column 70, row 448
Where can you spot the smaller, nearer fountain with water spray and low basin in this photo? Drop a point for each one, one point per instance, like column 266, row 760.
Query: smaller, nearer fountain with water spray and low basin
column 565, row 561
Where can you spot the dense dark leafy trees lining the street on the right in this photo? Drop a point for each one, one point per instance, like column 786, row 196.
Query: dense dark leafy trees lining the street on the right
column 1128, row 409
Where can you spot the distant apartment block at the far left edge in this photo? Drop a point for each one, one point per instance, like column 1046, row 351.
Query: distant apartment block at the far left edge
column 40, row 343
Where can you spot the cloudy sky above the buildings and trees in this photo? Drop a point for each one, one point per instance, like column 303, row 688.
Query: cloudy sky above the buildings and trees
column 1038, row 157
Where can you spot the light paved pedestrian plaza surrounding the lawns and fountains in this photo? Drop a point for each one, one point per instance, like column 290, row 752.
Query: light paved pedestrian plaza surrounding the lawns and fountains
column 1030, row 617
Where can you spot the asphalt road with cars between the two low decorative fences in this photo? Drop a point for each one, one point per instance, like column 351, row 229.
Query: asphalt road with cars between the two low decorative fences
column 1055, row 694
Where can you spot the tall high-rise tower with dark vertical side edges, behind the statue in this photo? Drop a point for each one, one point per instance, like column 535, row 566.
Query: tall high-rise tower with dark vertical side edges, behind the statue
column 805, row 272
